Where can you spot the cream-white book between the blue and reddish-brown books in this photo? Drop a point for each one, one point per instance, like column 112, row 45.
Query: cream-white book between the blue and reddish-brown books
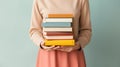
column 58, row 29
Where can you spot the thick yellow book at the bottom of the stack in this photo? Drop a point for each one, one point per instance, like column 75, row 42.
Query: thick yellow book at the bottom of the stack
column 60, row 42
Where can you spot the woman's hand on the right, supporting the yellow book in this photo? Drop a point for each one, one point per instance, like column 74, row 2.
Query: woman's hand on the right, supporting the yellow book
column 69, row 48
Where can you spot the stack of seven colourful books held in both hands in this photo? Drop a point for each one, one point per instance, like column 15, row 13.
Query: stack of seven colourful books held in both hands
column 58, row 29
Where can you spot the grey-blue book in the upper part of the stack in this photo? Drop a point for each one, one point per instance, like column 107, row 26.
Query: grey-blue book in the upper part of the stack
column 56, row 24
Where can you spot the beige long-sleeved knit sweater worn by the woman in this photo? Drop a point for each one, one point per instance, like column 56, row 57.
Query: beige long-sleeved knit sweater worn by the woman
column 81, row 20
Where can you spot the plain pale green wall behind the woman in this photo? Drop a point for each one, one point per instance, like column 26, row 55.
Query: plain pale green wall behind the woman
column 17, row 50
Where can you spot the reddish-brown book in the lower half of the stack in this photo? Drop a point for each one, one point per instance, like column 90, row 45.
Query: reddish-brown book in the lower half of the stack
column 57, row 33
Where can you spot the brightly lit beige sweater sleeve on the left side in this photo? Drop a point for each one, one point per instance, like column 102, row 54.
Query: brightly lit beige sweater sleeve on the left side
column 35, row 30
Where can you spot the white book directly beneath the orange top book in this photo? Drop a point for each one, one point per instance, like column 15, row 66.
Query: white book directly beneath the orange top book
column 57, row 20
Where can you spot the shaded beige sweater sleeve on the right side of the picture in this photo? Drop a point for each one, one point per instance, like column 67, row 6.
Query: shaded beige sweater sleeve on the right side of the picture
column 84, row 24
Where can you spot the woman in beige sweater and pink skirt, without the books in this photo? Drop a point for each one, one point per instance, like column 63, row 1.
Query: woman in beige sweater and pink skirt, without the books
column 61, row 56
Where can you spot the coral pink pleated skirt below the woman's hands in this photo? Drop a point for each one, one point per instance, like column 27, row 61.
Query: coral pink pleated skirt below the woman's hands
column 56, row 58
